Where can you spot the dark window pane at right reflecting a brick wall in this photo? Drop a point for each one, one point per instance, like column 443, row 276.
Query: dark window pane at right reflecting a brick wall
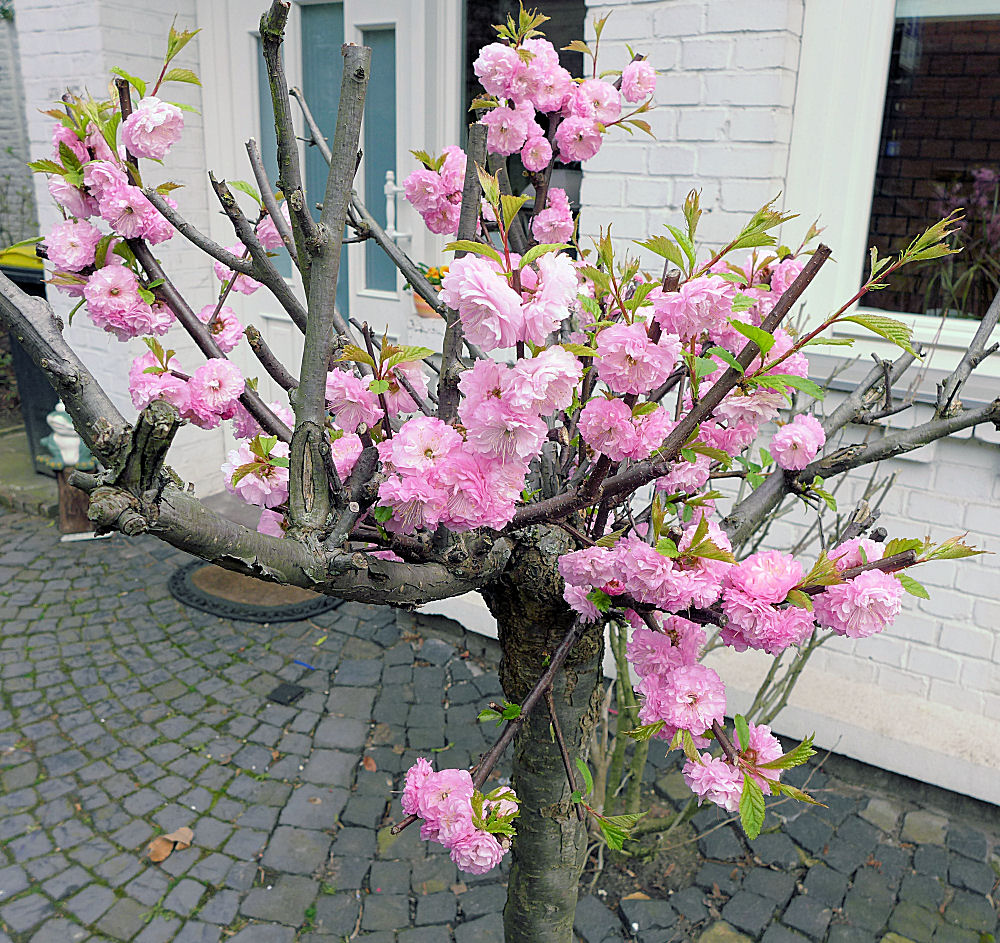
column 939, row 150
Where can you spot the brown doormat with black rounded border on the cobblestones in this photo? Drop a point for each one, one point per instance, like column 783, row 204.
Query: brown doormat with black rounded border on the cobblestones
column 230, row 595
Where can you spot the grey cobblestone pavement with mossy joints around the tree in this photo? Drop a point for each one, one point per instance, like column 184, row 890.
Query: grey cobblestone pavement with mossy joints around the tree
column 124, row 715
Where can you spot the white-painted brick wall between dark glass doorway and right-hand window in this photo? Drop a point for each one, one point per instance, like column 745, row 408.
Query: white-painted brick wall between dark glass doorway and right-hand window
column 723, row 118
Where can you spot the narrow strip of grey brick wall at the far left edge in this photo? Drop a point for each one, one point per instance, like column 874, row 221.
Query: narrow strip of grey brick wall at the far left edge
column 17, row 203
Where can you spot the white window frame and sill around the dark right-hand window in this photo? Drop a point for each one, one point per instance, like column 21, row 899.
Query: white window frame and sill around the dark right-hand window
column 837, row 126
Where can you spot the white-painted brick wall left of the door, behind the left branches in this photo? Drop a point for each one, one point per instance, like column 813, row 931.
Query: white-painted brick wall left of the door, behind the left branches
column 93, row 36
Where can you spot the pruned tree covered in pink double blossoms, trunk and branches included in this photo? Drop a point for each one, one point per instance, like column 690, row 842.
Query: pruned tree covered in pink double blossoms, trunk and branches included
column 562, row 462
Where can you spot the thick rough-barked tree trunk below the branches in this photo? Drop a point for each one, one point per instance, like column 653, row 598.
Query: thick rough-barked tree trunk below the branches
column 550, row 848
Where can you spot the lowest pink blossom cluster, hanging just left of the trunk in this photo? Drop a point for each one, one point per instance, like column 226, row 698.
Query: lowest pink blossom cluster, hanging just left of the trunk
column 474, row 828
